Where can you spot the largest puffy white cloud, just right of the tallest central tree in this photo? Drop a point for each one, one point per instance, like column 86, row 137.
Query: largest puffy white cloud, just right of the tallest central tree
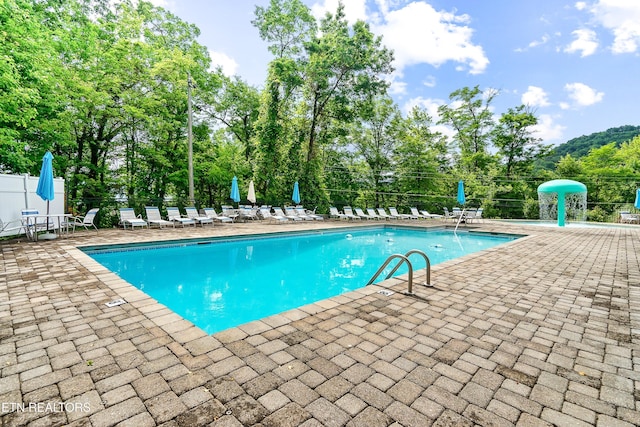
column 418, row 34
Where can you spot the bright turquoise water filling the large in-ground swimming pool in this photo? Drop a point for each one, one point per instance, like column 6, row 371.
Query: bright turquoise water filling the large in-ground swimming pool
column 218, row 284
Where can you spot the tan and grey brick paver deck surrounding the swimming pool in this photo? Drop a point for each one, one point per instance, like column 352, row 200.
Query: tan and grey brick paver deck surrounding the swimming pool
column 541, row 331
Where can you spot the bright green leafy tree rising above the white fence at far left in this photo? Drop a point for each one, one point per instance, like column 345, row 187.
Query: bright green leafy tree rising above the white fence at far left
column 30, row 102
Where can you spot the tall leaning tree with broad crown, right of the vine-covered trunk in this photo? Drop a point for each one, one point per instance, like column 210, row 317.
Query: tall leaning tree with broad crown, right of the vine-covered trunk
column 346, row 66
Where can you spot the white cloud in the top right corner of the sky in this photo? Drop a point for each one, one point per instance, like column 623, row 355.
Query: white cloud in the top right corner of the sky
column 622, row 18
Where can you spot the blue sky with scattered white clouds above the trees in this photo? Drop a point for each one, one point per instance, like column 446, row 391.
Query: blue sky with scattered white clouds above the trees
column 576, row 63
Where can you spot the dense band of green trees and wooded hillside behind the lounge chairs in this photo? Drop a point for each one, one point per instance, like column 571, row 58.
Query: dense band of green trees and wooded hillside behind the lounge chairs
column 104, row 88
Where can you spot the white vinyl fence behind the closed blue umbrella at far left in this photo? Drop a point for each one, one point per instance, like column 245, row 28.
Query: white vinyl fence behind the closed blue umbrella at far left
column 18, row 192
